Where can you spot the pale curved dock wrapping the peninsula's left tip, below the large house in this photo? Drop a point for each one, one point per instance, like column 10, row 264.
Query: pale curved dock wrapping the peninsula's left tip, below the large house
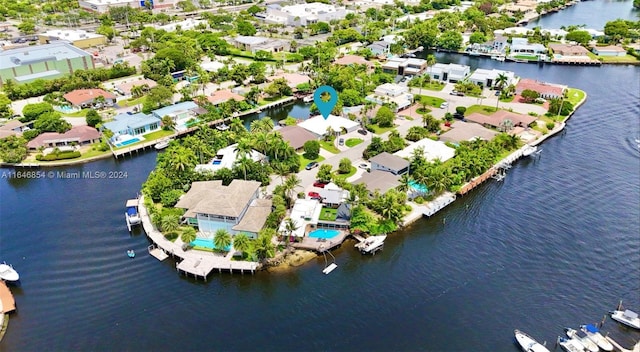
column 198, row 264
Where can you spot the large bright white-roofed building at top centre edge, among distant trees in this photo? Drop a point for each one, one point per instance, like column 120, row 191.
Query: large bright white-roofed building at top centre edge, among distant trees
column 304, row 14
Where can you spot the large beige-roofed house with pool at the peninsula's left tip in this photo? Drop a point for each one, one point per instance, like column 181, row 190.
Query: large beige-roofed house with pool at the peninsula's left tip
column 236, row 208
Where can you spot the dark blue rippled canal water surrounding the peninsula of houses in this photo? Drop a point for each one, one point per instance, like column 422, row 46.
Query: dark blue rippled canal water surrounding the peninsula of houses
column 556, row 244
